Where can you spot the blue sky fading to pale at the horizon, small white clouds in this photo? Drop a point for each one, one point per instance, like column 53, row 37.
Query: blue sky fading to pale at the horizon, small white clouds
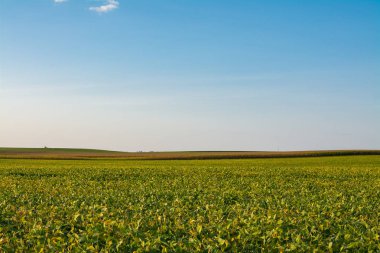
column 190, row 75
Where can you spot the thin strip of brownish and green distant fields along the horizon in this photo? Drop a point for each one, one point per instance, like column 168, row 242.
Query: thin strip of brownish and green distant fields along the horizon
column 61, row 153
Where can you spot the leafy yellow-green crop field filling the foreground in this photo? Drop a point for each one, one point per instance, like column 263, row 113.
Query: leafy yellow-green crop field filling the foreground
column 320, row 204
